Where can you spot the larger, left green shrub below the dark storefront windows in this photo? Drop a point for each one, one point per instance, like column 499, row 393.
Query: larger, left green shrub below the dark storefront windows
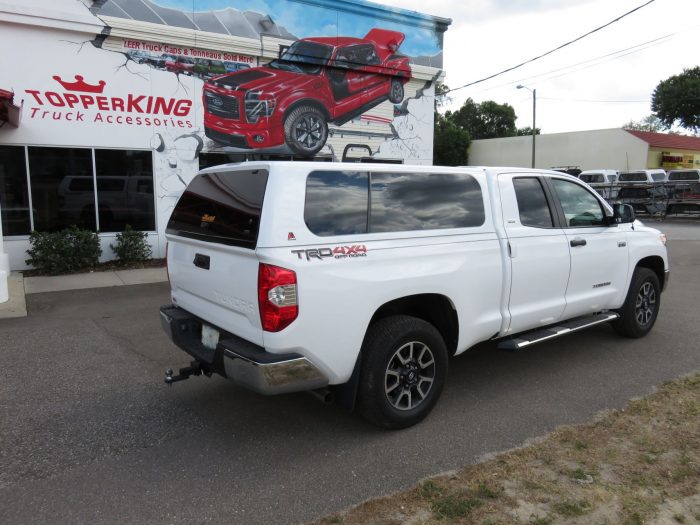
column 67, row 251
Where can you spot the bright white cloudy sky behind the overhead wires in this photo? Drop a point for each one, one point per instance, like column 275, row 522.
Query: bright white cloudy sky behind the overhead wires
column 487, row 36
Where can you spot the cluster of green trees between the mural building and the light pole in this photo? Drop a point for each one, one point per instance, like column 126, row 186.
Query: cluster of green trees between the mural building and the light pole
column 486, row 120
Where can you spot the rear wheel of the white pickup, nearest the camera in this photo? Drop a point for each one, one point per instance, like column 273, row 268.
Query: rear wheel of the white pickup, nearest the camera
column 404, row 366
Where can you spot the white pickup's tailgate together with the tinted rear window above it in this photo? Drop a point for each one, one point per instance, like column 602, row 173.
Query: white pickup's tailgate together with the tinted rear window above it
column 212, row 235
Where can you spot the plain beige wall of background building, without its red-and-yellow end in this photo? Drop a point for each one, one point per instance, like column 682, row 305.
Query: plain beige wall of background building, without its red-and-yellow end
column 603, row 148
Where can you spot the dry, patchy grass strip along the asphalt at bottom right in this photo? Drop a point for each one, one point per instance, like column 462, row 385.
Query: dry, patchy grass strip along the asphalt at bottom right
column 624, row 468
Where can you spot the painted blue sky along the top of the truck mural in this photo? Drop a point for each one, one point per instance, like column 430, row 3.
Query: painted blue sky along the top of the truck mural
column 306, row 20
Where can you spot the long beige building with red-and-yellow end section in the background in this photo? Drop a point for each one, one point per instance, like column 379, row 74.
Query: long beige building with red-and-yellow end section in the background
column 604, row 148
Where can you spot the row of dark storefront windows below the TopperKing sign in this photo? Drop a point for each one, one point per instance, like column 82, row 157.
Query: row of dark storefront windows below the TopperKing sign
column 63, row 193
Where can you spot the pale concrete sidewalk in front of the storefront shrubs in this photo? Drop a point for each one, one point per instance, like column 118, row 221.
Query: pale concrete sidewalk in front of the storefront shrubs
column 19, row 285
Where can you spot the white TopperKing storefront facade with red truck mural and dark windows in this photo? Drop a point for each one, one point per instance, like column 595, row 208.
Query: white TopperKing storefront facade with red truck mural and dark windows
column 123, row 101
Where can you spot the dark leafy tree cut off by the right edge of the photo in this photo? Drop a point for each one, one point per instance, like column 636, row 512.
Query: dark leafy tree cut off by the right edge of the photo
column 677, row 100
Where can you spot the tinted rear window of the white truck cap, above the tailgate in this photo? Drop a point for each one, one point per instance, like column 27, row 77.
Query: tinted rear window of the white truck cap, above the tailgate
column 221, row 207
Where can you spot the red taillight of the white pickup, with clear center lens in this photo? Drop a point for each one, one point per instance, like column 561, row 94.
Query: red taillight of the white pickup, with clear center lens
column 277, row 297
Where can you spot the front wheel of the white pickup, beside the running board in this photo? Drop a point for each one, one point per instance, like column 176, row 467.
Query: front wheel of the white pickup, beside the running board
column 641, row 307
